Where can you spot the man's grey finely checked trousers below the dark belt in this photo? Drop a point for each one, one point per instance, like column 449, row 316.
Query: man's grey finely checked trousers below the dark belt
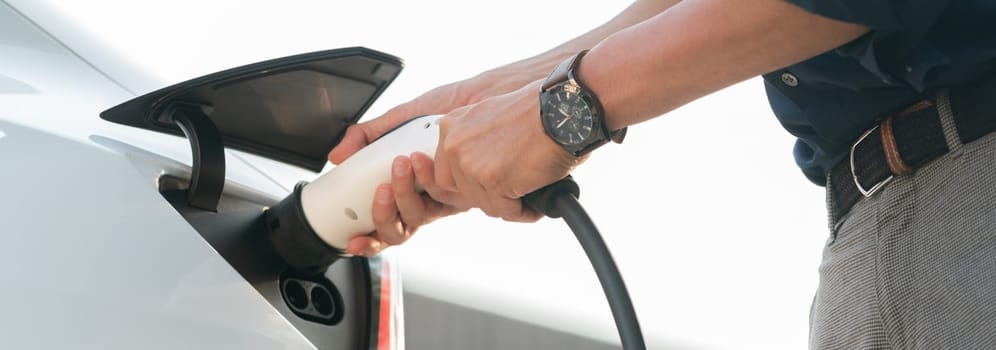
column 914, row 266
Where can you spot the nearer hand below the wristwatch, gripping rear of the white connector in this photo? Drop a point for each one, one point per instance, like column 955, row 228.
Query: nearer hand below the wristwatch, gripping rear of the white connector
column 495, row 152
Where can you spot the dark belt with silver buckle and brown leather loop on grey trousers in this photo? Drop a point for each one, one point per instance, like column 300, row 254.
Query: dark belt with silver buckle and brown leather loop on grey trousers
column 909, row 139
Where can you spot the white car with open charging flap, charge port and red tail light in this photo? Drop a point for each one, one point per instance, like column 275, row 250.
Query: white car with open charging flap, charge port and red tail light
column 110, row 242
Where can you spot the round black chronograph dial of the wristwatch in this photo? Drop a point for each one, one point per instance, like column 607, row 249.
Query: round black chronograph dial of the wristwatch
column 568, row 118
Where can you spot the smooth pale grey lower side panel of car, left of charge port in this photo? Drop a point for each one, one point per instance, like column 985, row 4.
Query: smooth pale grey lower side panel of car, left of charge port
column 104, row 262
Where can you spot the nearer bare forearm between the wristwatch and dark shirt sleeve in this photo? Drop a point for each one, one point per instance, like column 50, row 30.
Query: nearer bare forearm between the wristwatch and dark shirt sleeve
column 698, row 47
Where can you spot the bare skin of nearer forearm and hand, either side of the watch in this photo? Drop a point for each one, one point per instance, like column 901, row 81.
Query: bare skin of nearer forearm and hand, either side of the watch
column 688, row 51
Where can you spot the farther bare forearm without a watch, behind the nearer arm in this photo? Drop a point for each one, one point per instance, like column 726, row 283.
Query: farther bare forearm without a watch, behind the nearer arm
column 541, row 65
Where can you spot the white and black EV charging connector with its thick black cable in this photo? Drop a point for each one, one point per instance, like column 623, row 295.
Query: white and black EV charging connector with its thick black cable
column 312, row 227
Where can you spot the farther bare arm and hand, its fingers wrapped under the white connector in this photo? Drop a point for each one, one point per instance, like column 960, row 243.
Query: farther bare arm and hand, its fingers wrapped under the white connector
column 415, row 209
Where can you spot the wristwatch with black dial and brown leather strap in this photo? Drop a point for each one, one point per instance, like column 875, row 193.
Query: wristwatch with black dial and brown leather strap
column 571, row 114
